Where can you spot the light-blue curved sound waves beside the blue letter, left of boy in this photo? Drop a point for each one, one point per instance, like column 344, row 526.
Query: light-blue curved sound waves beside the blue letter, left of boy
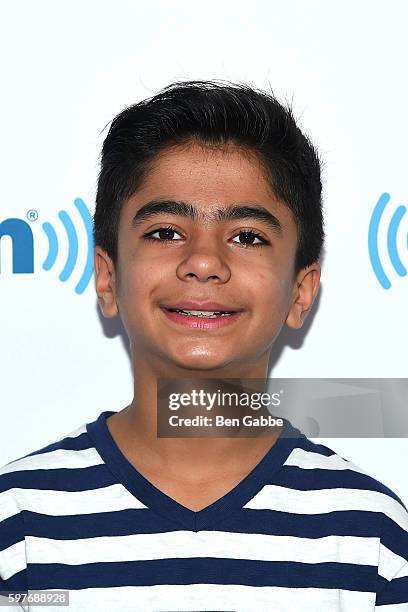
column 73, row 246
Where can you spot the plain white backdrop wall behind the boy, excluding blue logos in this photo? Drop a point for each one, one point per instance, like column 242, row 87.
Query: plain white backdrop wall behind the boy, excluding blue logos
column 68, row 67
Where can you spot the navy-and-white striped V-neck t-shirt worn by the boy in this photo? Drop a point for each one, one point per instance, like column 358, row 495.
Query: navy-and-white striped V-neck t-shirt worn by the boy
column 305, row 531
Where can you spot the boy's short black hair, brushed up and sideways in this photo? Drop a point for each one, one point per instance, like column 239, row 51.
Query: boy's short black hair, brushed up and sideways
column 212, row 113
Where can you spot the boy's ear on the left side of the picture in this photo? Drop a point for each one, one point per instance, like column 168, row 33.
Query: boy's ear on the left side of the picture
column 105, row 283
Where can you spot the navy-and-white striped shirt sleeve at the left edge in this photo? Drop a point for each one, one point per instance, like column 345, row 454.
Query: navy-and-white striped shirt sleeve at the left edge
column 13, row 563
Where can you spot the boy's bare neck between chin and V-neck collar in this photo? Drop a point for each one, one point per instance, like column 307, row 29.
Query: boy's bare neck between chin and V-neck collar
column 135, row 427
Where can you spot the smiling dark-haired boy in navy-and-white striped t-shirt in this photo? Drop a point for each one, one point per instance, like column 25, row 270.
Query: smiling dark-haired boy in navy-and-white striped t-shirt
column 208, row 203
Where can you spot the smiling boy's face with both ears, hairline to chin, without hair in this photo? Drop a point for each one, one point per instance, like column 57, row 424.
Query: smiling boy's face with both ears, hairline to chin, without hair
column 206, row 260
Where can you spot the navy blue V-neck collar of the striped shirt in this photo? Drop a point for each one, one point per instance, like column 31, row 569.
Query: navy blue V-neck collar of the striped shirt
column 162, row 504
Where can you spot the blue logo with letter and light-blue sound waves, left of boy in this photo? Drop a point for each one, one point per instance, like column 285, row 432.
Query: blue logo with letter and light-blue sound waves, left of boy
column 23, row 244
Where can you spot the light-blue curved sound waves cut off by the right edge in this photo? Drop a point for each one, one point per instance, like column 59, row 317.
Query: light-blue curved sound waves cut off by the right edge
column 391, row 240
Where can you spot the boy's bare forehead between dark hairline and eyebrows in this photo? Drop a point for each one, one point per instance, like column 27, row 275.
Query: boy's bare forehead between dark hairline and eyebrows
column 208, row 177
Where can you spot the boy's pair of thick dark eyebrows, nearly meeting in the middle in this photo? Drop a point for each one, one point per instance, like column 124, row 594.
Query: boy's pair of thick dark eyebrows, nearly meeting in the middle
column 227, row 213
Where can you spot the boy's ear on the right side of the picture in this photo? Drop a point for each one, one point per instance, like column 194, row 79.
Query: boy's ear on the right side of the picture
column 304, row 292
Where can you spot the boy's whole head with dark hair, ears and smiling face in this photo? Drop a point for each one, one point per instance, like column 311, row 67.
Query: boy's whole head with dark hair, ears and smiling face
column 190, row 154
